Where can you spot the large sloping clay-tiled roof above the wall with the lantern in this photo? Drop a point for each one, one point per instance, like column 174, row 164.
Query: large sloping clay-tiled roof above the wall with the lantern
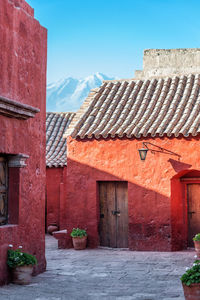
column 130, row 108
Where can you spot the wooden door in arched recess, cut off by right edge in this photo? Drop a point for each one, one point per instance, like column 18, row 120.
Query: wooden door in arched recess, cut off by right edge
column 193, row 198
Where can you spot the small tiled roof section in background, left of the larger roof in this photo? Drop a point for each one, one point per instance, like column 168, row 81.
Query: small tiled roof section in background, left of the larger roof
column 56, row 125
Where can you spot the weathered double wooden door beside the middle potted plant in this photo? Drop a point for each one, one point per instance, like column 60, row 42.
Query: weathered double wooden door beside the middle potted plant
column 113, row 214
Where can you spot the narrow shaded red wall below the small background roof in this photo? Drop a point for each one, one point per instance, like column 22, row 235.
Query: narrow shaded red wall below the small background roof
column 55, row 186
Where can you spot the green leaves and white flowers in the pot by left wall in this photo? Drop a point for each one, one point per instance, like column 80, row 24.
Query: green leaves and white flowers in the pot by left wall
column 16, row 258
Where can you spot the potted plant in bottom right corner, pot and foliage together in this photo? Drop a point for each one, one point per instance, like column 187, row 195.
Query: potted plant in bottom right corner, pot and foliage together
column 191, row 281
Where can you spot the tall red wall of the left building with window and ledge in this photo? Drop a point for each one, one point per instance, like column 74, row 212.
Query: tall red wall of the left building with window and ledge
column 23, row 47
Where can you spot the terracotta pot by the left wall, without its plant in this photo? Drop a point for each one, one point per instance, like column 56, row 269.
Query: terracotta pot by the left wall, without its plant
column 22, row 274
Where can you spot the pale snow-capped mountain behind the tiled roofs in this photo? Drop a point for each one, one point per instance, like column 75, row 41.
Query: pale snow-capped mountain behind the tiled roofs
column 68, row 94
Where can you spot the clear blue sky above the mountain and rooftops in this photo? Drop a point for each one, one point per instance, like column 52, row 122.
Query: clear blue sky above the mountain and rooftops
column 109, row 36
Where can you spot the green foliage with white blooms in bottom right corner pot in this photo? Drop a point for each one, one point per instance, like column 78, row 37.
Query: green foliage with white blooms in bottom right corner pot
column 192, row 275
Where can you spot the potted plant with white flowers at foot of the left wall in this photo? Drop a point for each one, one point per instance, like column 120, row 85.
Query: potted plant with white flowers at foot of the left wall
column 21, row 265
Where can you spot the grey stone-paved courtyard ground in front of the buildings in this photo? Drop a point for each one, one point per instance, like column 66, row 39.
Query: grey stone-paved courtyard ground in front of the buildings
column 105, row 274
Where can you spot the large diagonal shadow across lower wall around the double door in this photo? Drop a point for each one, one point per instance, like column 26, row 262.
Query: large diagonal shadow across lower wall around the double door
column 150, row 212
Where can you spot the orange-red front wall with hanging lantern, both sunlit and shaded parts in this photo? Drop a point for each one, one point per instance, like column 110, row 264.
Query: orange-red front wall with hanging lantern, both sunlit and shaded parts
column 155, row 193
